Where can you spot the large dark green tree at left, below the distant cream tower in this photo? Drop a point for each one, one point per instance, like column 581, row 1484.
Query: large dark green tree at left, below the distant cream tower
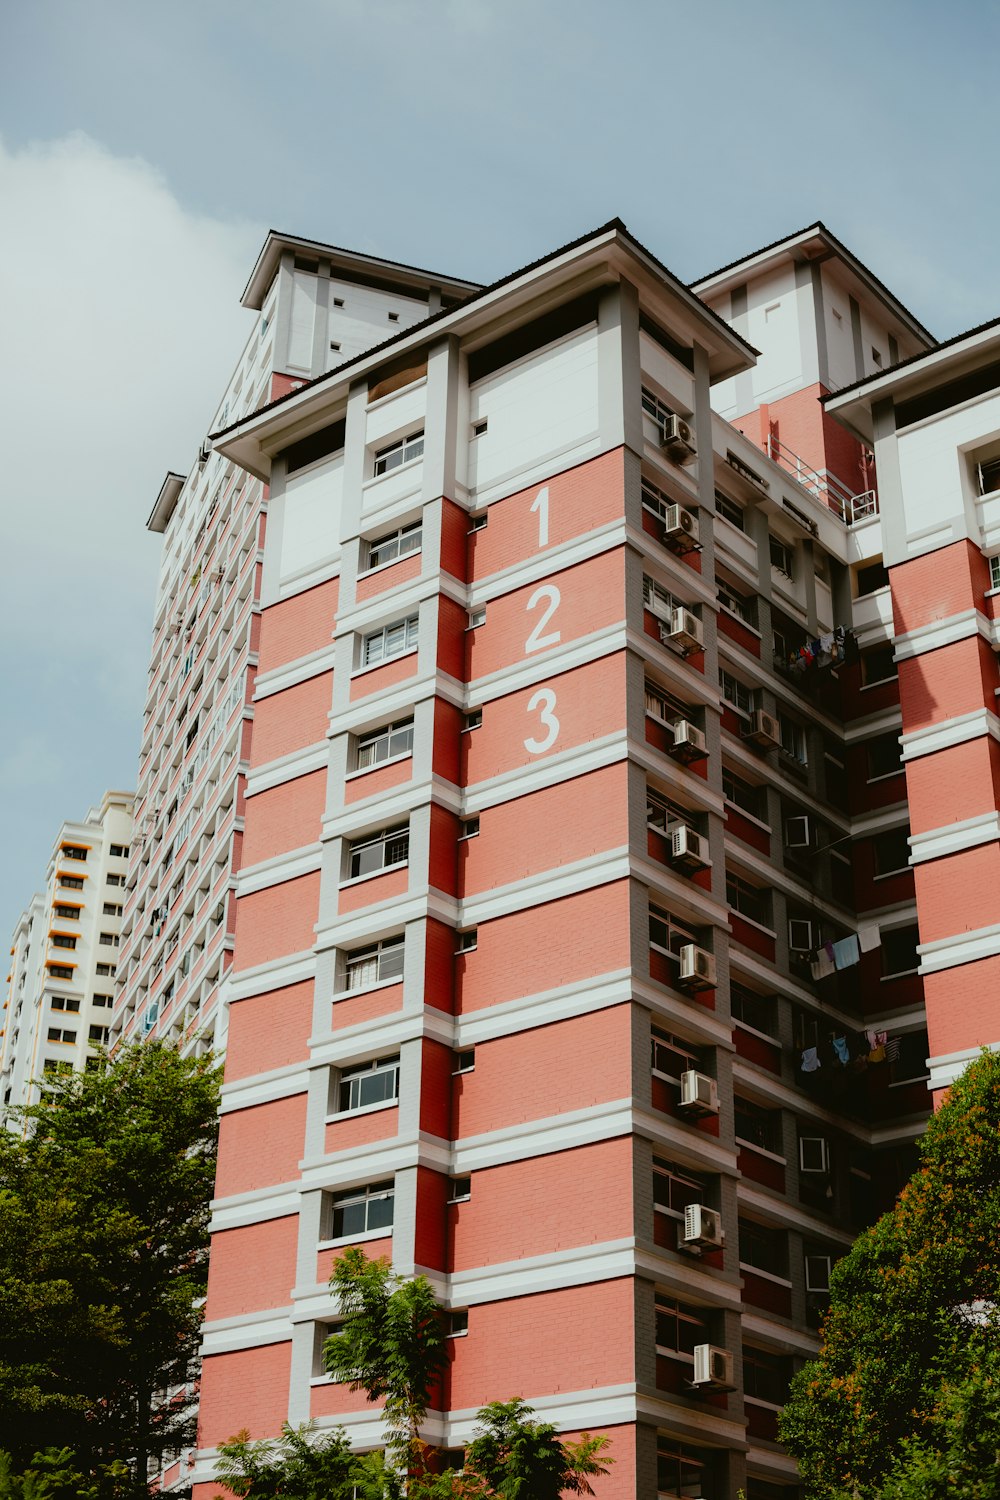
column 104, row 1216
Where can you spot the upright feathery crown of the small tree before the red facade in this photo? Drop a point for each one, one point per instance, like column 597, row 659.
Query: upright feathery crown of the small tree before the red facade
column 392, row 1343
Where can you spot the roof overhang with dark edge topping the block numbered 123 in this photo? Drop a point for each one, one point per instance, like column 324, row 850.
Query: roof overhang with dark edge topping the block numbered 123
column 600, row 259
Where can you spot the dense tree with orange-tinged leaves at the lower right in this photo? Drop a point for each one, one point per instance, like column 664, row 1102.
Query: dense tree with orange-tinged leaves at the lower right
column 903, row 1345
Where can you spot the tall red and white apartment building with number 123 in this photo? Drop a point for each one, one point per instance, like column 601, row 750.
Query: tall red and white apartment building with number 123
column 554, row 860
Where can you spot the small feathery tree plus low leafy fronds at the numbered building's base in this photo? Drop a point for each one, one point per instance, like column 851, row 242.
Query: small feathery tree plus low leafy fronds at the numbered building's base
column 394, row 1348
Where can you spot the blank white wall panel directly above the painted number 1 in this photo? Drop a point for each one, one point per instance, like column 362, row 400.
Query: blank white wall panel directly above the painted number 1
column 537, row 409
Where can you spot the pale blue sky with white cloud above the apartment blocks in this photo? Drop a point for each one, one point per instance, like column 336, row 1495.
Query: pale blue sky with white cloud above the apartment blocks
column 145, row 151
